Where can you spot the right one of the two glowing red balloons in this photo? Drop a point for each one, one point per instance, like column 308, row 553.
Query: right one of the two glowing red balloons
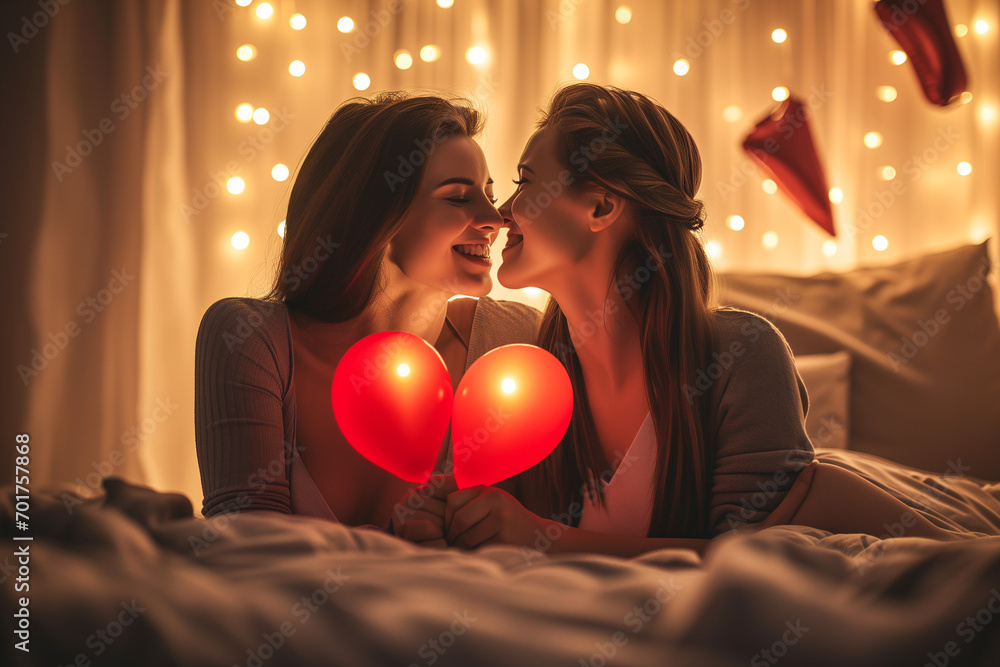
column 512, row 408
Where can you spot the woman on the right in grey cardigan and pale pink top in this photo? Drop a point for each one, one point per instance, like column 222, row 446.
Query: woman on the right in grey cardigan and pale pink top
column 688, row 418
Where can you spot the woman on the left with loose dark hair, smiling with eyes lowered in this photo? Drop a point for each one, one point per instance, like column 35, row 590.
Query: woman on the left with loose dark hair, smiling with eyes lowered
column 390, row 216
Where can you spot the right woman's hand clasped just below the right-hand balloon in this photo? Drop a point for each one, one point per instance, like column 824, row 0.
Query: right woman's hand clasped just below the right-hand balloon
column 481, row 515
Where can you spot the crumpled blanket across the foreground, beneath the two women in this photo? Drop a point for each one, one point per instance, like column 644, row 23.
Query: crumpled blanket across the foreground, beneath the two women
column 133, row 578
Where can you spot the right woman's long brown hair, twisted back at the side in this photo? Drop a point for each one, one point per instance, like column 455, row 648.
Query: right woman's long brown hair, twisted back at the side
column 644, row 155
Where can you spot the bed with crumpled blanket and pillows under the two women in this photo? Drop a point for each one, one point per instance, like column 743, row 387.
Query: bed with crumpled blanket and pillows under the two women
column 134, row 577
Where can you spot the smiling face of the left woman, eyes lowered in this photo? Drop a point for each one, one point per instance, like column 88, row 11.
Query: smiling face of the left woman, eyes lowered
column 445, row 239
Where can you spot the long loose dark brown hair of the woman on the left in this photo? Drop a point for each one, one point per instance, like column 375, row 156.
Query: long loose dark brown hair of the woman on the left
column 351, row 194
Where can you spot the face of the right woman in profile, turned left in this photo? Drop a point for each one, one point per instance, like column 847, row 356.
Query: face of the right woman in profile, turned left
column 549, row 223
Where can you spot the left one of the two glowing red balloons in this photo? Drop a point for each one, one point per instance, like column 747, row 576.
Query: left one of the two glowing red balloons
column 392, row 400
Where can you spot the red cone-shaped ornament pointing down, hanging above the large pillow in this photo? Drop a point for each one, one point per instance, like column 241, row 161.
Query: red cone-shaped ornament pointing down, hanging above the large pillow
column 783, row 146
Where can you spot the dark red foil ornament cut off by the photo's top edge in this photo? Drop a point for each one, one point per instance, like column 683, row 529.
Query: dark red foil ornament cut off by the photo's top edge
column 922, row 31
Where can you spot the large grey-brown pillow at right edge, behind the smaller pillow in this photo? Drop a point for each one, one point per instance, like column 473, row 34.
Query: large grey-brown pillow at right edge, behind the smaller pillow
column 925, row 347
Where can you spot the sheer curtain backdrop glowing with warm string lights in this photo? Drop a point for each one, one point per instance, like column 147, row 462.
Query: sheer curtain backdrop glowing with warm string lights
column 149, row 200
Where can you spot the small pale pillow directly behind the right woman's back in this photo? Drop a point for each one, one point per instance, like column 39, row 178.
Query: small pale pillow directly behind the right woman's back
column 828, row 379
